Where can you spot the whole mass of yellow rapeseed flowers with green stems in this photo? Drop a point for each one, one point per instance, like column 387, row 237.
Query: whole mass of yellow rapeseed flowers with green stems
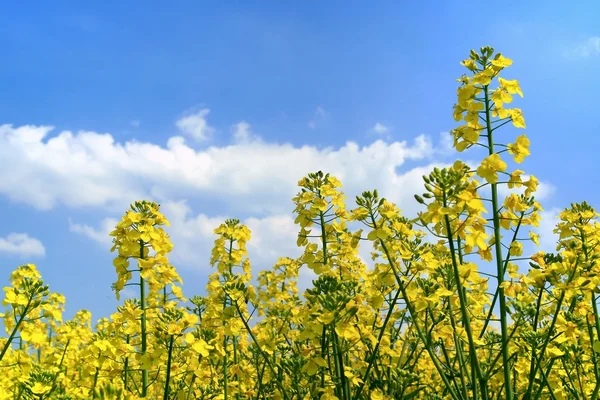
column 448, row 310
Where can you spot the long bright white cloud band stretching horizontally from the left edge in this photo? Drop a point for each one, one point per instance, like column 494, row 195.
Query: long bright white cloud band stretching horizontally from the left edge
column 89, row 169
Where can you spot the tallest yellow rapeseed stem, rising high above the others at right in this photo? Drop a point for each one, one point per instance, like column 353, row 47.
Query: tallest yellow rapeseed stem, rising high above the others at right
column 483, row 116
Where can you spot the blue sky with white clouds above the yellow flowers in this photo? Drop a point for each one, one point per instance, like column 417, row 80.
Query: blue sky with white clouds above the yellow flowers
column 256, row 94
